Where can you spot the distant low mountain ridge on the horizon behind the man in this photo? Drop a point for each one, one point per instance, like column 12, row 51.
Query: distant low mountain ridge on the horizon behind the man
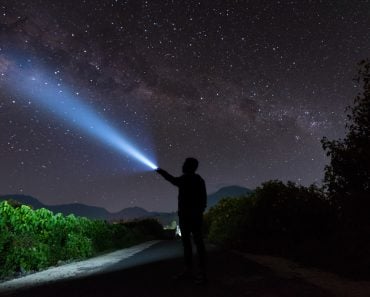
column 130, row 213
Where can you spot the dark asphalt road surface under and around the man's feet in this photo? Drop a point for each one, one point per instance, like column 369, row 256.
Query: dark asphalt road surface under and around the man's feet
column 229, row 275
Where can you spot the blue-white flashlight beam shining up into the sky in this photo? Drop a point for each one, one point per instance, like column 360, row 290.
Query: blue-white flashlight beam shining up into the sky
column 52, row 96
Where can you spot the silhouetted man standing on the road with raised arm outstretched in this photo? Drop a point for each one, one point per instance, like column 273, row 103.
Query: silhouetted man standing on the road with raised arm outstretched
column 192, row 201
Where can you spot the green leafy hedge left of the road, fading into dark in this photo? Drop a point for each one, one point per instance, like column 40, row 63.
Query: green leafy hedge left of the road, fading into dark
column 31, row 240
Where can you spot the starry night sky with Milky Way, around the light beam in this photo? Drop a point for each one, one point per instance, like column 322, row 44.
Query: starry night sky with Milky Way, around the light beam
column 247, row 87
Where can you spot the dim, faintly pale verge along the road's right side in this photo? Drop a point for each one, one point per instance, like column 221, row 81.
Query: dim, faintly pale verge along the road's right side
column 331, row 282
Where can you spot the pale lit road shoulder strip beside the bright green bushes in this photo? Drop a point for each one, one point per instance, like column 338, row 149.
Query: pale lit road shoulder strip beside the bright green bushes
column 74, row 270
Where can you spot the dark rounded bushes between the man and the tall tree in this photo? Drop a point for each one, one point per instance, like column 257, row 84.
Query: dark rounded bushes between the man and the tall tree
column 276, row 214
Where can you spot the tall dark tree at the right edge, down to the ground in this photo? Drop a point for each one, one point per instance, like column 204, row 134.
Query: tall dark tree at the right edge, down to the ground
column 347, row 180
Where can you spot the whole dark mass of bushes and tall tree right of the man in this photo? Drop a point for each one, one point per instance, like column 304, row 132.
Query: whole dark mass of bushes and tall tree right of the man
column 327, row 227
